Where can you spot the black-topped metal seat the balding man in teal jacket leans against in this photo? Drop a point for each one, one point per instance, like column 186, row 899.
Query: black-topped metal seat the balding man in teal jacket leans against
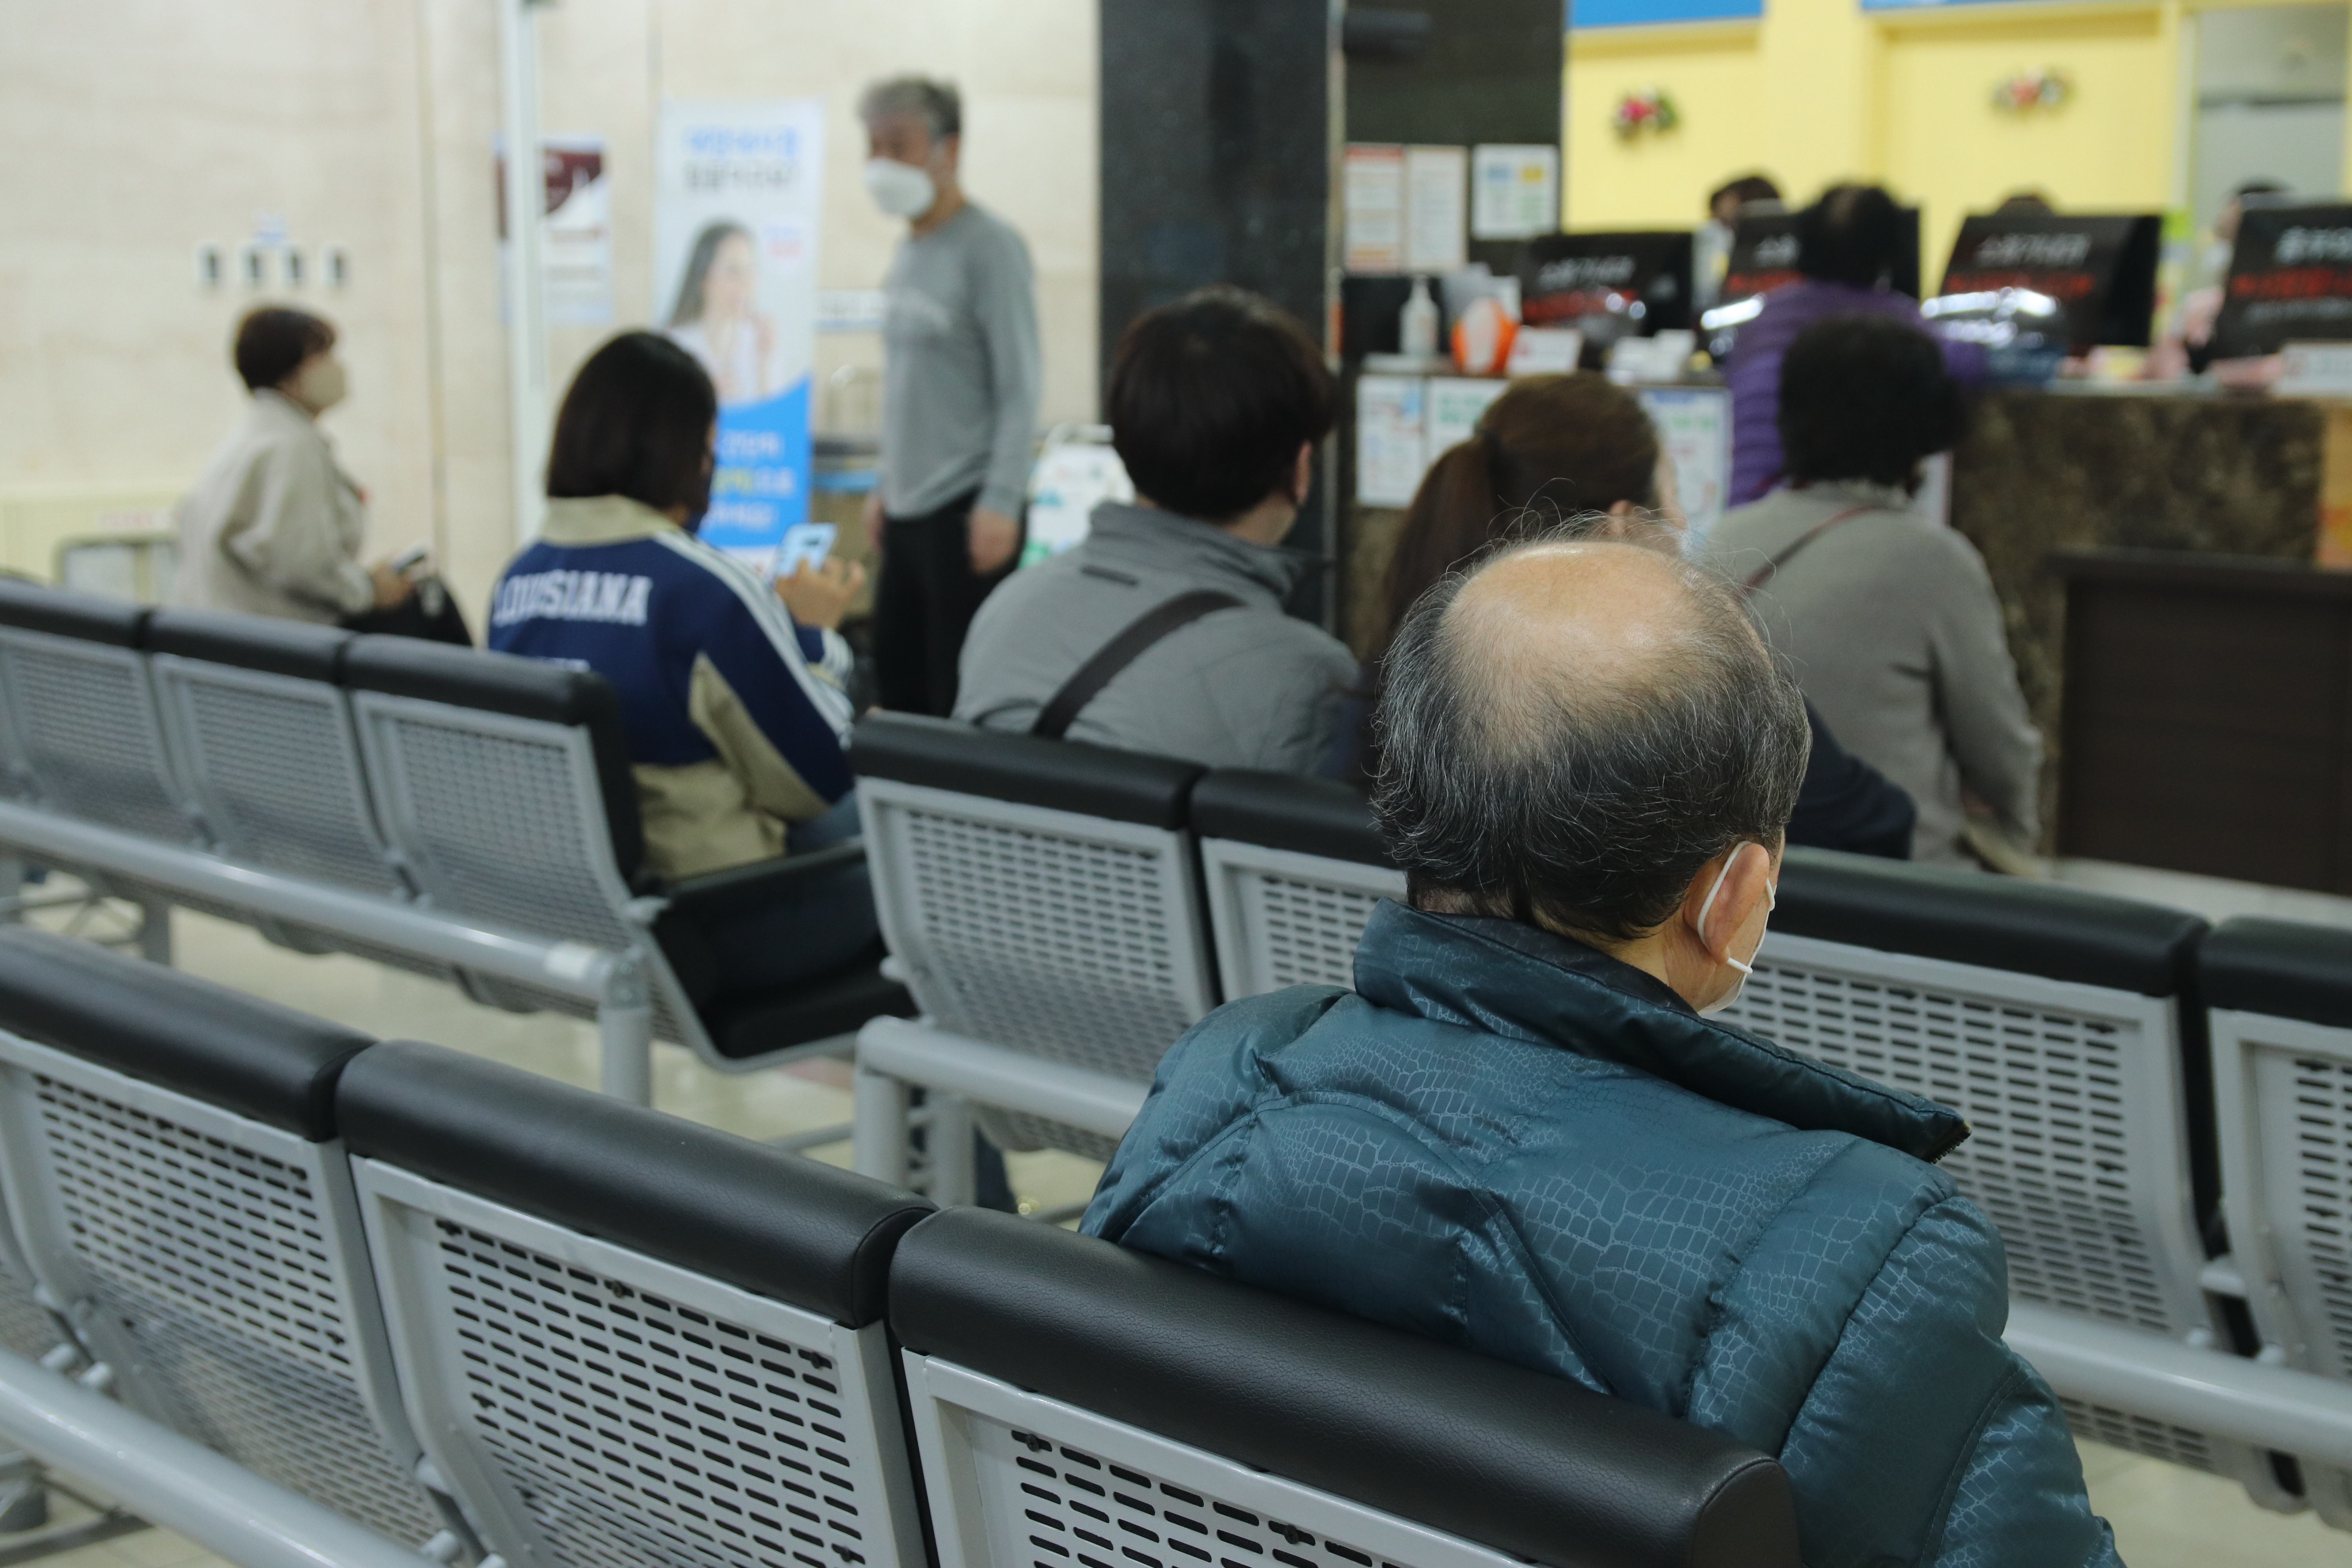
column 1085, row 1407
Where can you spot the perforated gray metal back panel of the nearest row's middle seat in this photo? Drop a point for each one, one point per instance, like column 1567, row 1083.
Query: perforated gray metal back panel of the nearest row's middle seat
column 617, row 1409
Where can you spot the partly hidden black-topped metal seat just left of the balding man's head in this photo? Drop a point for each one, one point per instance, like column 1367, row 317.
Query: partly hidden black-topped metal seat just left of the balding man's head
column 1295, row 869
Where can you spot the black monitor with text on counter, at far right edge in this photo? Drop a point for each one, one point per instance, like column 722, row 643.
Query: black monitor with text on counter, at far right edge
column 2290, row 279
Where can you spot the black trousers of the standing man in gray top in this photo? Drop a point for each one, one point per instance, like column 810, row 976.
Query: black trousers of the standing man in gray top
column 926, row 605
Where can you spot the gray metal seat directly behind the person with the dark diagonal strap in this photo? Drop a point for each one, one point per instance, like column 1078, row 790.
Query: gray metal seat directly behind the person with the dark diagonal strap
column 1045, row 909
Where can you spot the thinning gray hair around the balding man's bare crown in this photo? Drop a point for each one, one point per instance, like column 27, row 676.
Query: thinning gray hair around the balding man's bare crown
column 1584, row 805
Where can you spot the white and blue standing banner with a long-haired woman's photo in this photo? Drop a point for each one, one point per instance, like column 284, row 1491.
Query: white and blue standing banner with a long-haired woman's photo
column 740, row 189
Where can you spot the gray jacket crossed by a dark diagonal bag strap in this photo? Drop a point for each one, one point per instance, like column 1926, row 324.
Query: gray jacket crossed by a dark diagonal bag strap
column 1241, row 688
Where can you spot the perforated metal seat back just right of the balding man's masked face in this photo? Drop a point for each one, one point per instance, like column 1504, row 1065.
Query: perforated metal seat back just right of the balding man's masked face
column 2076, row 1151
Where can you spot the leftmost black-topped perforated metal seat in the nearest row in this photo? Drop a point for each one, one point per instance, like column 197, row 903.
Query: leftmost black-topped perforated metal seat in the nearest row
column 180, row 1193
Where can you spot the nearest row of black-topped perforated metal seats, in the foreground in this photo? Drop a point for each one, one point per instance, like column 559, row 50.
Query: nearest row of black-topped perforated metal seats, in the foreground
column 622, row 1339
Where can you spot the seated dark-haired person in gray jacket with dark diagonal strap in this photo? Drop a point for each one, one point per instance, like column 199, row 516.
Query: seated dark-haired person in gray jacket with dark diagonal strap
column 1165, row 629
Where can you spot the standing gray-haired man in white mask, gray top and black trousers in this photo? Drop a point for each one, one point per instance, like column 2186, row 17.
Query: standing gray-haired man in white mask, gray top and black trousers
column 958, row 396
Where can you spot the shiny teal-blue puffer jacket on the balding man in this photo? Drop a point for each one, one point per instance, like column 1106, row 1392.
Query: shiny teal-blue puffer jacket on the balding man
column 1523, row 1146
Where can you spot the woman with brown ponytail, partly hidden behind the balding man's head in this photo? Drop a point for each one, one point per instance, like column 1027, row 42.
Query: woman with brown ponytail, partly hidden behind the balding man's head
column 1577, row 455
